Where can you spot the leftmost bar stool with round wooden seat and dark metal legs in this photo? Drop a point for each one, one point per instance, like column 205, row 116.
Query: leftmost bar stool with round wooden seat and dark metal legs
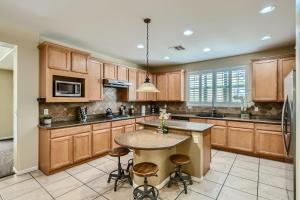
column 119, row 174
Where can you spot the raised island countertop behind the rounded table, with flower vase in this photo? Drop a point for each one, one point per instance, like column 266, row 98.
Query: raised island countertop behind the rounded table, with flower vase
column 180, row 125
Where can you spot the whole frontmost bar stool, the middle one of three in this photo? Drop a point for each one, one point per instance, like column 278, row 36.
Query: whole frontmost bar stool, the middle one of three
column 145, row 169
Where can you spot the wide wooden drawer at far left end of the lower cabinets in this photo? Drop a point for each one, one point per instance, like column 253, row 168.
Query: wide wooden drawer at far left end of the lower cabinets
column 70, row 131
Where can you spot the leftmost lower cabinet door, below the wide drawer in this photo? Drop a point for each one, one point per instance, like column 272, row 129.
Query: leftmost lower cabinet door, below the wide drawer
column 61, row 152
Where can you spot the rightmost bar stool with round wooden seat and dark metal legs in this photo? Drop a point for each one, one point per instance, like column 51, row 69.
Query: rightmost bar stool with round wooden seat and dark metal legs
column 180, row 160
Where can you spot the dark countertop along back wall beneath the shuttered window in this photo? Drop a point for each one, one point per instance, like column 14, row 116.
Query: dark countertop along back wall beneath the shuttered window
column 232, row 118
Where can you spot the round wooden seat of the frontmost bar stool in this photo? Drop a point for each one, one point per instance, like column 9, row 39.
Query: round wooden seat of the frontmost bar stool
column 145, row 169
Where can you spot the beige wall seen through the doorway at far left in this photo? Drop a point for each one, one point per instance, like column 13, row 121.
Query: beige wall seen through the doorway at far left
column 6, row 105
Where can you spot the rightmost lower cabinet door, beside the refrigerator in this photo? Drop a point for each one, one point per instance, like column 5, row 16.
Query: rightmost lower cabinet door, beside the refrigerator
column 269, row 143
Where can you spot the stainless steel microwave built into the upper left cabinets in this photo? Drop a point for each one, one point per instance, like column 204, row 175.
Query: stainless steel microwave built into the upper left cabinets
column 67, row 89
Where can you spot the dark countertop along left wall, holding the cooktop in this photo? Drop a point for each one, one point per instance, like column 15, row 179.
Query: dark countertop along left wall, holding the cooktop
column 93, row 120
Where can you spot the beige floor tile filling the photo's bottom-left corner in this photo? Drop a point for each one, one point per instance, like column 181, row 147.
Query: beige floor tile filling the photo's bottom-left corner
column 19, row 189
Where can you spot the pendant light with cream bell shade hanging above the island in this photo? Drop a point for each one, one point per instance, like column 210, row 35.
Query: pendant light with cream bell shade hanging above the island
column 147, row 86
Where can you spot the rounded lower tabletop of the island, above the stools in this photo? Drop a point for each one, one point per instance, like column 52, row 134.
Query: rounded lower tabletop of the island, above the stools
column 147, row 140
